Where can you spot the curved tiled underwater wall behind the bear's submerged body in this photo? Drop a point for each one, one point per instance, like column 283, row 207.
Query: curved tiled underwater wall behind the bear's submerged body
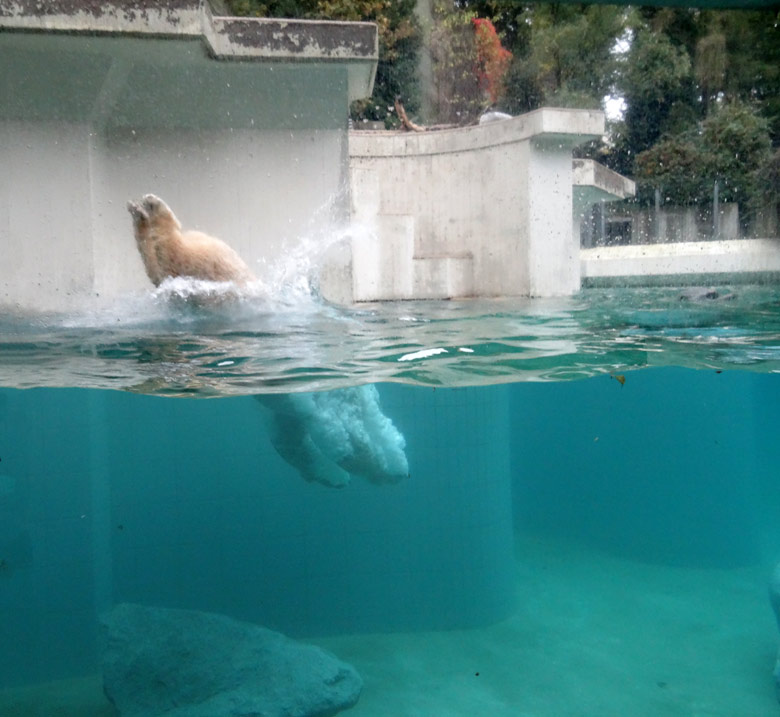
column 108, row 497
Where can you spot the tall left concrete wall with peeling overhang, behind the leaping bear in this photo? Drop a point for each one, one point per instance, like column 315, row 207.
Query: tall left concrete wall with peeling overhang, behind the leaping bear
column 103, row 102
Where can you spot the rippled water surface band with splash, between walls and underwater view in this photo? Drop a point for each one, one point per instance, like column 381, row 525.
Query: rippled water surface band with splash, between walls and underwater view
column 166, row 343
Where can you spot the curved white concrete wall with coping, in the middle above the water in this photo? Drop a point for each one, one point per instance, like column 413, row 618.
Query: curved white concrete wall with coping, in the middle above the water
column 475, row 211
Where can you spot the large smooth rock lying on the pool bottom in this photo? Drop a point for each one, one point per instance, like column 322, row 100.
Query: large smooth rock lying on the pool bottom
column 184, row 663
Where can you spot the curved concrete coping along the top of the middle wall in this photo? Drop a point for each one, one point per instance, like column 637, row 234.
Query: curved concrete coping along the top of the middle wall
column 564, row 127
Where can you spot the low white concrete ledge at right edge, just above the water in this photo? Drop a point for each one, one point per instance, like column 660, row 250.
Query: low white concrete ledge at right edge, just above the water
column 655, row 263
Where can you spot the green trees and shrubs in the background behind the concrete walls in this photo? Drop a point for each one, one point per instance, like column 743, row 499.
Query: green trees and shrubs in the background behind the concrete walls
column 701, row 87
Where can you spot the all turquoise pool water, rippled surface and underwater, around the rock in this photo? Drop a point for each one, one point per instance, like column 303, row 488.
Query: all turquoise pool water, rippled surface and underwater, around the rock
column 587, row 495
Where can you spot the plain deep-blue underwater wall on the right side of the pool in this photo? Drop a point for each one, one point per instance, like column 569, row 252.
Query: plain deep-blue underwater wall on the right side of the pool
column 676, row 467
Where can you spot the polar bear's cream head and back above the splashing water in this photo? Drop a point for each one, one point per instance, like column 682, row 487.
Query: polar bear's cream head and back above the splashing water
column 167, row 252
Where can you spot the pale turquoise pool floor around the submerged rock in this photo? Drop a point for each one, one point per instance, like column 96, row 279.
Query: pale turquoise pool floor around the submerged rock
column 593, row 635
